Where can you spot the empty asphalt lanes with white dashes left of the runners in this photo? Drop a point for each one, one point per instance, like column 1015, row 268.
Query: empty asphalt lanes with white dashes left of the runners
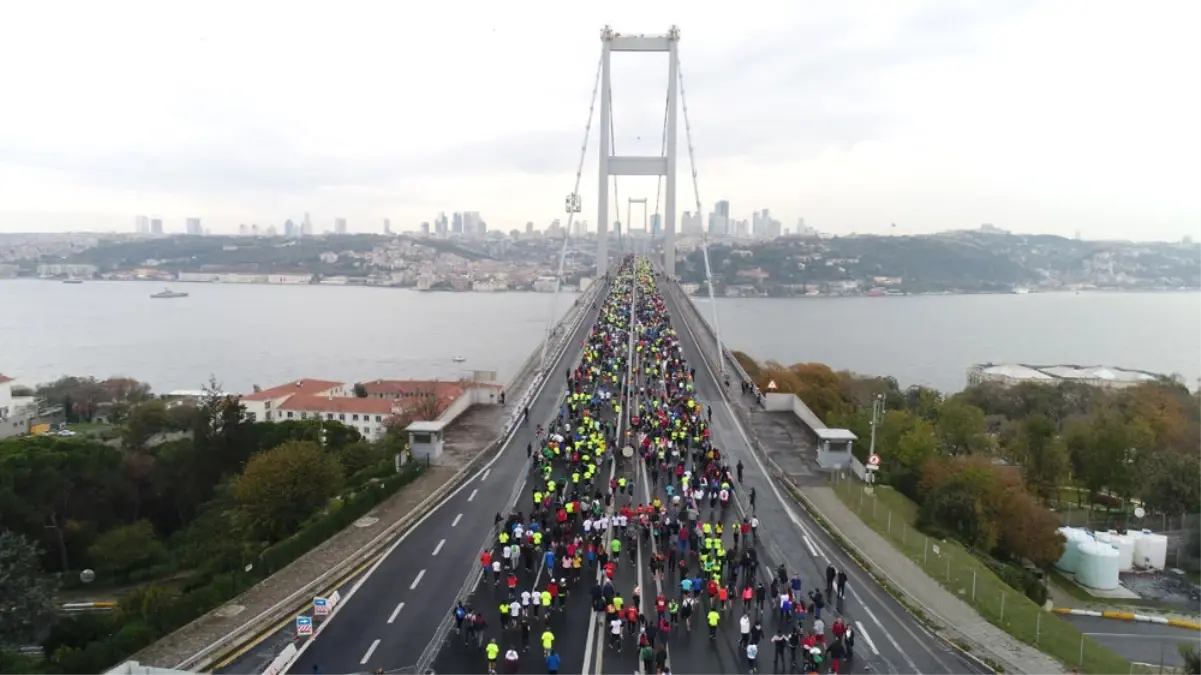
column 395, row 614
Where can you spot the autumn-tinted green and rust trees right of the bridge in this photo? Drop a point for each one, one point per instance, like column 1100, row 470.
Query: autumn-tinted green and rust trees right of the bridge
column 988, row 465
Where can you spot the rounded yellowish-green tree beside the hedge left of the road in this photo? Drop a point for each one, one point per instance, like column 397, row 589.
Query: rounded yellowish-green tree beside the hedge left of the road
column 283, row 487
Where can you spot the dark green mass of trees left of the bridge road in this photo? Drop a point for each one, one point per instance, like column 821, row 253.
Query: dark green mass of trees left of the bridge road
column 181, row 519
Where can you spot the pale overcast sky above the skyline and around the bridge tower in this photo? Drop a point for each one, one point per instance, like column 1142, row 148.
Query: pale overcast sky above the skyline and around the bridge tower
column 1033, row 116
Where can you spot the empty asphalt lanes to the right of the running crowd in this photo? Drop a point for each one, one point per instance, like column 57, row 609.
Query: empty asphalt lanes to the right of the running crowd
column 891, row 640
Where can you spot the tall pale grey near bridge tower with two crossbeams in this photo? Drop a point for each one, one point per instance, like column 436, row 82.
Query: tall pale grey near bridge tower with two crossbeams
column 614, row 165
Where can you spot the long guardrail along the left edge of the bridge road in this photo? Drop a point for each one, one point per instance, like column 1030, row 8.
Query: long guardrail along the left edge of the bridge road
column 302, row 598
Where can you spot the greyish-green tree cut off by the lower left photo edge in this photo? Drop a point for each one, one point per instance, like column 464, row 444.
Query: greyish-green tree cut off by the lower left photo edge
column 27, row 598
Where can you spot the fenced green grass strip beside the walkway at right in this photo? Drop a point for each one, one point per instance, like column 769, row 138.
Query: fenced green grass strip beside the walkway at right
column 893, row 516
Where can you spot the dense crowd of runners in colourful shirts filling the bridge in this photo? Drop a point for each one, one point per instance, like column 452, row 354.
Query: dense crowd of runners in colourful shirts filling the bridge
column 629, row 474
